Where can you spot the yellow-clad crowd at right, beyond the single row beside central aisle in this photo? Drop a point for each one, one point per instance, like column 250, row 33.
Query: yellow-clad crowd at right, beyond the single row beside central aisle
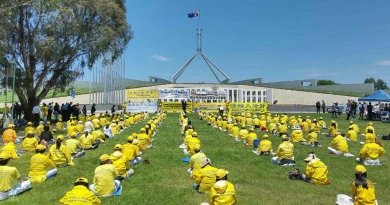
column 293, row 129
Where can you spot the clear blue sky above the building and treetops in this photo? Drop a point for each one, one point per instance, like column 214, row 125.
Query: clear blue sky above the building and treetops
column 345, row 41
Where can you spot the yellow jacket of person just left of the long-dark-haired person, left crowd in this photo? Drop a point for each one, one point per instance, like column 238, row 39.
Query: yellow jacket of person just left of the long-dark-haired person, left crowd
column 39, row 165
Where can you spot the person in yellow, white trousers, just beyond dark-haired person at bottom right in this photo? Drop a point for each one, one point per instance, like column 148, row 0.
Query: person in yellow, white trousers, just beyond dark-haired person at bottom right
column 370, row 153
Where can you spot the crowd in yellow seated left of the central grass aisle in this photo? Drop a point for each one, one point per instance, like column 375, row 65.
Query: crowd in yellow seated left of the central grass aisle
column 50, row 153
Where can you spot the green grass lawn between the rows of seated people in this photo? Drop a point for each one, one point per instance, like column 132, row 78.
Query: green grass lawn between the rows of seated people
column 256, row 179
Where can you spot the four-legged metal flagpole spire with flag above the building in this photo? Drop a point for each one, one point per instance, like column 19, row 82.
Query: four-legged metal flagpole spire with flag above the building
column 213, row 68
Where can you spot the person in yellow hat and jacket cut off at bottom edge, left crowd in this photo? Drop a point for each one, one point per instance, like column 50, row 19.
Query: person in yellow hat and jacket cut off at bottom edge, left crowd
column 80, row 194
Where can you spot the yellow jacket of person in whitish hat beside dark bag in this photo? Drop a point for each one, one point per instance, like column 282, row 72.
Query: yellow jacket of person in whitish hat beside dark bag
column 317, row 171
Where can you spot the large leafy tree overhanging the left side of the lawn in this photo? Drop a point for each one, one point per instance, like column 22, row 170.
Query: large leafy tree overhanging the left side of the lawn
column 48, row 43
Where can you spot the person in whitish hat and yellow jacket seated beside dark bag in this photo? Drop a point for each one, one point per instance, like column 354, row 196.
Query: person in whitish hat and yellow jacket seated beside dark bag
column 316, row 171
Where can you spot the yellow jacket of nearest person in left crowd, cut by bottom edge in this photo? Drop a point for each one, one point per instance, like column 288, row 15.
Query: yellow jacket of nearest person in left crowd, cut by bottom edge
column 79, row 195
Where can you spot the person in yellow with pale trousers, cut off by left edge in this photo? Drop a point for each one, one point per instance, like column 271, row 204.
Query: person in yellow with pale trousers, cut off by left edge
column 11, row 183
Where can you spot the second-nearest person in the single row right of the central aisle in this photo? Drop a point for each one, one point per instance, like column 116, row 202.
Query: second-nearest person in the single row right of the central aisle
column 205, row 177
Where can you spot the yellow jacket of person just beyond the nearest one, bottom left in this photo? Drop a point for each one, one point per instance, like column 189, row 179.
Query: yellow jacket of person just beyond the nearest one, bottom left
column 104, row 179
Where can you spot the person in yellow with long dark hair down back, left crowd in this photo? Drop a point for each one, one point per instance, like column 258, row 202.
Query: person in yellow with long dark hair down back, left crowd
column 59, row 154
